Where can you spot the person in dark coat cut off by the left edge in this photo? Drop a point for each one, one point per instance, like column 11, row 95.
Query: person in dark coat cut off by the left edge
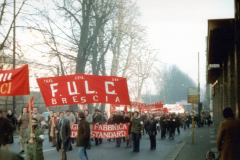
column 5, row 129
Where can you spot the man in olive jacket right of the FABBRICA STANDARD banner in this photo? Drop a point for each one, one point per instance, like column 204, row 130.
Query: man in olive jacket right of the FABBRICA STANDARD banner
column 136, row 129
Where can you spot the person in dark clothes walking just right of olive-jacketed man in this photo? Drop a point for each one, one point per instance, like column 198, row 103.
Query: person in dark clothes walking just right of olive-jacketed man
column 152, row 127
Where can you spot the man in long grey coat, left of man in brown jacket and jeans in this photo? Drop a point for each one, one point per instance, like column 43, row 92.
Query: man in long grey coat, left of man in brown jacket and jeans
column 63, row 131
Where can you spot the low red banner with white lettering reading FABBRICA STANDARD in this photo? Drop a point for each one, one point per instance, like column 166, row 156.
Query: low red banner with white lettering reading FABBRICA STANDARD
column 104, row 131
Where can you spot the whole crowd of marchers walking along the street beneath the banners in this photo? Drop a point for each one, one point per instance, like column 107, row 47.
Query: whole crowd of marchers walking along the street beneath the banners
column 59, row 129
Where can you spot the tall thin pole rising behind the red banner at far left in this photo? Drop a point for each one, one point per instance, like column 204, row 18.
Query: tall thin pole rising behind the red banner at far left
column 14, row 48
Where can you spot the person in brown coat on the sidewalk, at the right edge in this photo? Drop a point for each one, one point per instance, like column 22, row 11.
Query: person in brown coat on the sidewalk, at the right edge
column 228, row 139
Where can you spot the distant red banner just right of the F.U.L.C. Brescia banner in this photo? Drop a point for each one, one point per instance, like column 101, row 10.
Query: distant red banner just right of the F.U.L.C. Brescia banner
column 142, row 106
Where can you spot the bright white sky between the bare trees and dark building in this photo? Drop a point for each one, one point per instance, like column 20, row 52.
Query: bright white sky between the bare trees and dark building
column 178, row 28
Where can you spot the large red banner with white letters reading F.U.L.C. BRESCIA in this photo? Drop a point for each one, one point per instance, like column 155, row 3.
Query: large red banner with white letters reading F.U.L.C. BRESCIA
column 83, row 89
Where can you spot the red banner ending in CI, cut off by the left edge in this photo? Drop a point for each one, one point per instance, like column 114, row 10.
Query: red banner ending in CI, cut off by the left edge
column 14, row 82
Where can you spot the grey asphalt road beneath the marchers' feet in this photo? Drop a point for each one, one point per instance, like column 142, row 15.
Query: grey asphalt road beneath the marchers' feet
column 108, row 150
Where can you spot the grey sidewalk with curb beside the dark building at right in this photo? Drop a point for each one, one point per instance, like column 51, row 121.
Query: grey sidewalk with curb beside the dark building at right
column 204, row 140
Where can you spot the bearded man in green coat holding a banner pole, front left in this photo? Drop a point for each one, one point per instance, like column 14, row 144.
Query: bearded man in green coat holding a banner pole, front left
column 34, row 141
